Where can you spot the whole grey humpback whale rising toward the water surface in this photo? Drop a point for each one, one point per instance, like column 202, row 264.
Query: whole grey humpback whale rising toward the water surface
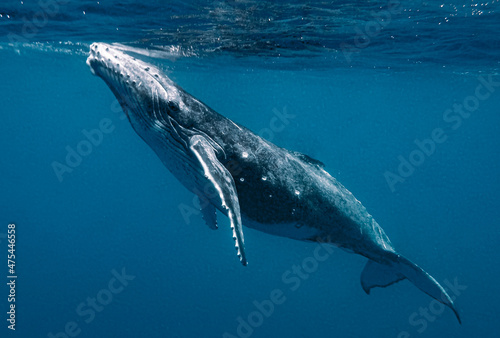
column 250, row 180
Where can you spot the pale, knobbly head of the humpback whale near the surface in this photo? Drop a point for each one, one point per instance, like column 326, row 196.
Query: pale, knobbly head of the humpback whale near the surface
column 147, row 96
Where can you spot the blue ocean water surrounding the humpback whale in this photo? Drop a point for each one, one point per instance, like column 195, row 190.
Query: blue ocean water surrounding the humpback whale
column 399, row 99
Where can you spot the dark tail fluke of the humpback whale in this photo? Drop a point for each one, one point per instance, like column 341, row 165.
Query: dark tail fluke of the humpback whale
column 398, row 268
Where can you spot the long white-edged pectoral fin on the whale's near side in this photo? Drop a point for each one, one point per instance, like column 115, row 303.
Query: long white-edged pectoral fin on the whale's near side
column 223, row 182
